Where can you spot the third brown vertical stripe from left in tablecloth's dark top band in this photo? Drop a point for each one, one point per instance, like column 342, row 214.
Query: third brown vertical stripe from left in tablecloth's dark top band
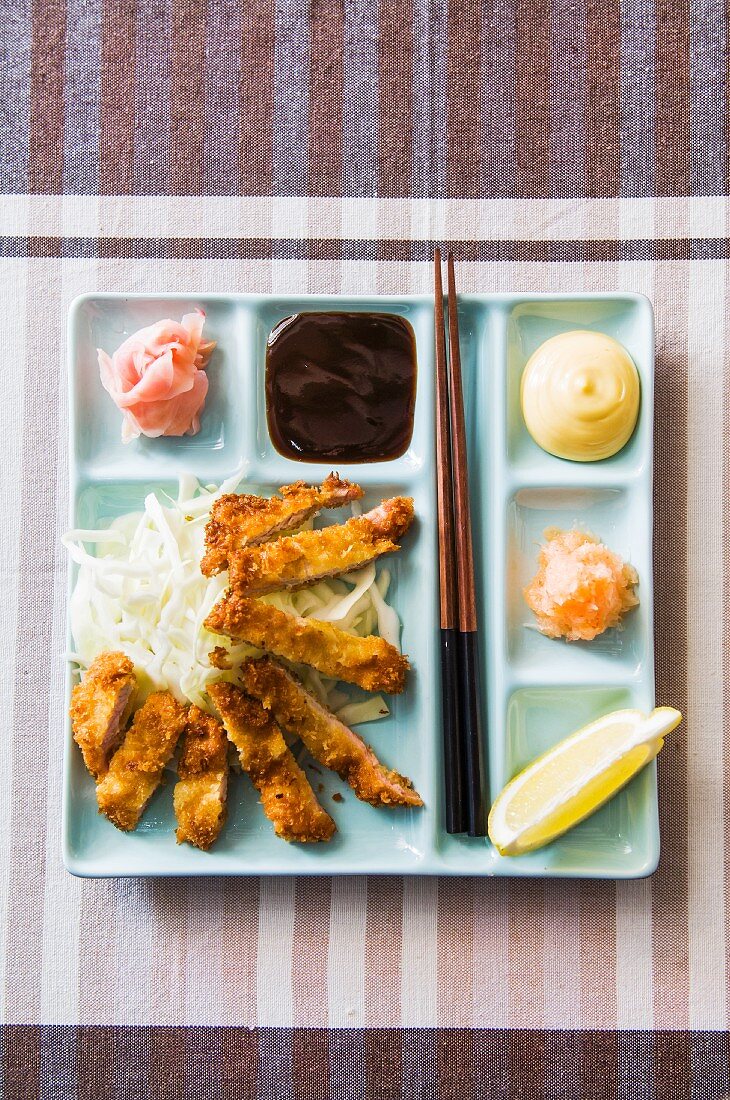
column 187, row 96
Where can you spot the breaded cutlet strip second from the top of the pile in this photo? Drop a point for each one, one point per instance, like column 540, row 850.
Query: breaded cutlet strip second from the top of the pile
column 312, row 556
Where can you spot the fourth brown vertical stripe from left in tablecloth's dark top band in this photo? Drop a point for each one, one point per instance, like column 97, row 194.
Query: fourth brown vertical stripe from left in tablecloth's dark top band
column 257, row 98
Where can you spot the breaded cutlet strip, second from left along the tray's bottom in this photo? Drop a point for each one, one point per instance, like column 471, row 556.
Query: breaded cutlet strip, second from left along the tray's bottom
column 136, row 771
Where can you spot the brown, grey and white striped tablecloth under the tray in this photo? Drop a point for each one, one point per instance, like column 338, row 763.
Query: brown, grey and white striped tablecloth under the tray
column 284, row 146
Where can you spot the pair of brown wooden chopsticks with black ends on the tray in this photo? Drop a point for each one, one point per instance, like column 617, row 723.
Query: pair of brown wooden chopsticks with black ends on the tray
column 464, row 773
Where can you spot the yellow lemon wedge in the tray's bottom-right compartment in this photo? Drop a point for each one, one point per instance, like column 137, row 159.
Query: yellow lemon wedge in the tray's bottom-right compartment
column 574, row 778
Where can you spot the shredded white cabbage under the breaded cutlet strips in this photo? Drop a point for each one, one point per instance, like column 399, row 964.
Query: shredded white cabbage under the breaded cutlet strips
column 140, row 590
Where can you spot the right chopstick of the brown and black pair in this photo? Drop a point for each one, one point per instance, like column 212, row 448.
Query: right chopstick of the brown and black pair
column 468, row 634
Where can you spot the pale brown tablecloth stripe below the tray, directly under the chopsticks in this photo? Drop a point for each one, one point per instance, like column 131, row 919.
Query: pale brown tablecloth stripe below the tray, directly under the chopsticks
column 456, row 952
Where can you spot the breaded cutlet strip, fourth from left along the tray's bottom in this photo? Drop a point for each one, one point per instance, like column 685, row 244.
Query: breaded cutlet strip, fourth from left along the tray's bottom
column 286, row 795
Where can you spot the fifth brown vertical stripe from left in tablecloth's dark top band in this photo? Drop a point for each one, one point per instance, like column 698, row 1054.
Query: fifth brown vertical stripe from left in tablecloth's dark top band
column 326, row 97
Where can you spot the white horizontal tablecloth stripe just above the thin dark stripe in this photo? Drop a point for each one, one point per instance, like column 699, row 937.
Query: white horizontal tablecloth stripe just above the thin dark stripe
column 226, row 217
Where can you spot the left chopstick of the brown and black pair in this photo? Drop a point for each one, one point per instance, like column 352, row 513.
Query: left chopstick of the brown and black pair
column 454, row 746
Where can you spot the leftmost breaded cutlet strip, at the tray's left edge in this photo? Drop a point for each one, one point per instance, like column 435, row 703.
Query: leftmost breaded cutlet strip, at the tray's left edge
column 99, row 709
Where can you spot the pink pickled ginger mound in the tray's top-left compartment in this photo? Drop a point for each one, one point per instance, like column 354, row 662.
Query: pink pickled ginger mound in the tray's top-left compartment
column 158, row 380
